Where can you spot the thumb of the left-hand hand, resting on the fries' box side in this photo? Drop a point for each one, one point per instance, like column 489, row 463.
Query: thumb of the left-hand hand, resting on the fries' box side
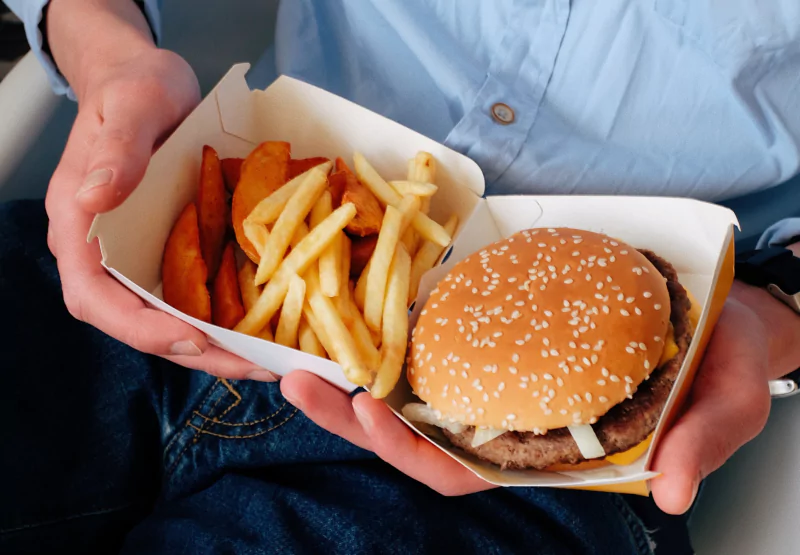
column 120, row 155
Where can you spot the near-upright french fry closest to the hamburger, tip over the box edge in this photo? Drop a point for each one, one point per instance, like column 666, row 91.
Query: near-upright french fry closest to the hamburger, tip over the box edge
column 395, row 326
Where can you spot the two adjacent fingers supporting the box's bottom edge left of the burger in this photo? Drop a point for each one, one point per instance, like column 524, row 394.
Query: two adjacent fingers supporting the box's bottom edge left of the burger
column 369, row 423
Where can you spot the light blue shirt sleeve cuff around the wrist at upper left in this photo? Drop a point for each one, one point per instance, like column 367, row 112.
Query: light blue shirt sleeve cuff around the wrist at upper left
column 31, row 12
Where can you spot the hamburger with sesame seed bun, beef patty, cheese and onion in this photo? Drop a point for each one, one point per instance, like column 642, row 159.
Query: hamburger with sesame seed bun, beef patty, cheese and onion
column 551, row 349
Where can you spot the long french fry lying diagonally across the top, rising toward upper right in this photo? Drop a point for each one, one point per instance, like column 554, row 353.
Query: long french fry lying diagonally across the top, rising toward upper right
column 299, row 259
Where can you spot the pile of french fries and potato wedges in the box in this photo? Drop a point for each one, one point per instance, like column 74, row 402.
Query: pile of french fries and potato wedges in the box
column 308, row 254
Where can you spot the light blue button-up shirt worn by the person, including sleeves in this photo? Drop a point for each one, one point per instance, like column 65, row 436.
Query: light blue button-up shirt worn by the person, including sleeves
column 694, row 98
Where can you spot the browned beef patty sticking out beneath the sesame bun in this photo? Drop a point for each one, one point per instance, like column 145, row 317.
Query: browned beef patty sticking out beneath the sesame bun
column 621, row 428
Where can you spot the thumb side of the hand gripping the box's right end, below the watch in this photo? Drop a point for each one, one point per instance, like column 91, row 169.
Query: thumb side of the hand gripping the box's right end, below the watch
column 754, row 341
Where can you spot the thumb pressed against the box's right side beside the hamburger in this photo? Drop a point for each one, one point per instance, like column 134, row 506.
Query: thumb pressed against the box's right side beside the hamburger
column 729, row 407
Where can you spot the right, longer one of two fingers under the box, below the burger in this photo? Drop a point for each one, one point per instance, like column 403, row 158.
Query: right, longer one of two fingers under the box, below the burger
column 416, row 457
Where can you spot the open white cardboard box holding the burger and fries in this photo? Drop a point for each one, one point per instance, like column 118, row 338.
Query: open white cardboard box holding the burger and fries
column 697, row 238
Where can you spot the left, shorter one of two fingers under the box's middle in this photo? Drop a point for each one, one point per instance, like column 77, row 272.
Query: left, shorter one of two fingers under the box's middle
column 325, row 405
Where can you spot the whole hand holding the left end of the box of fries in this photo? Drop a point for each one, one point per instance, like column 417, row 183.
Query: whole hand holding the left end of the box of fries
column 126, row 108
